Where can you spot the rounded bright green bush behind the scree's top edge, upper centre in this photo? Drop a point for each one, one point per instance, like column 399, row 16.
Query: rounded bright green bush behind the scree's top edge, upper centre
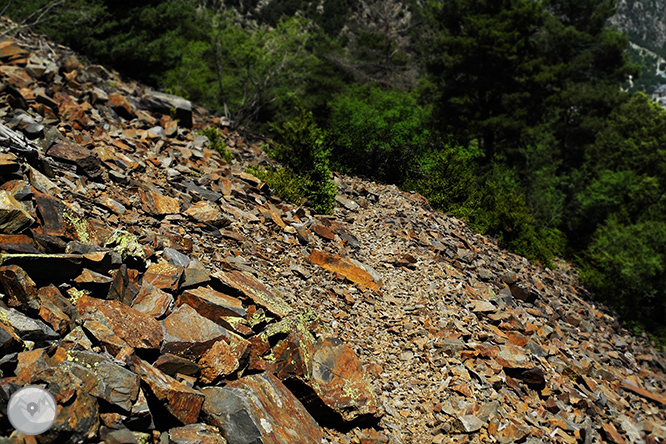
column 378, row 133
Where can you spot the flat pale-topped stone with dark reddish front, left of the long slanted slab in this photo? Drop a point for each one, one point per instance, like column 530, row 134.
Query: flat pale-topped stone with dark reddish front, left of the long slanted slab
column 212, row 304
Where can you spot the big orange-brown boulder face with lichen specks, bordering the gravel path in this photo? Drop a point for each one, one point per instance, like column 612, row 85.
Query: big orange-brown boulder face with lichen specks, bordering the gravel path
column 338, row 378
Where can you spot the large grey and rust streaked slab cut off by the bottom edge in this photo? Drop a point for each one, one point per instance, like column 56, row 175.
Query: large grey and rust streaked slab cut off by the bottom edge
column 259, row 409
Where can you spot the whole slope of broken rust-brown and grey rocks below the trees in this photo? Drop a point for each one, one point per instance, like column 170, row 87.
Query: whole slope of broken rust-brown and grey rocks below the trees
column 164, row 295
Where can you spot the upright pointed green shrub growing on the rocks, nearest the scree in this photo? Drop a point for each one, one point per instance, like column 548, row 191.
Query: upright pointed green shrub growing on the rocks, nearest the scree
column 305, row 150
